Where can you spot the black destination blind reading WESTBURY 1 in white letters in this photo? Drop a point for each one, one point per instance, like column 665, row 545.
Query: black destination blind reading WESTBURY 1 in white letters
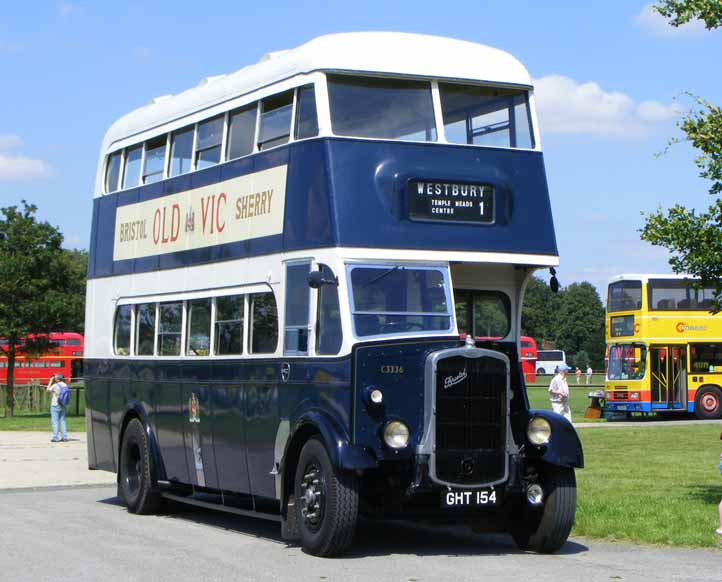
column 450, row 202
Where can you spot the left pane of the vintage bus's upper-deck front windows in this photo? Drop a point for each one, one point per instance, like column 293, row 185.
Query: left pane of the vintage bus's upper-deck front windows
column 381, row 108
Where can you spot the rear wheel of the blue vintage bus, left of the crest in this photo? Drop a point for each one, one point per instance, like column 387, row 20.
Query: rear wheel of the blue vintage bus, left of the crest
column 135, row 484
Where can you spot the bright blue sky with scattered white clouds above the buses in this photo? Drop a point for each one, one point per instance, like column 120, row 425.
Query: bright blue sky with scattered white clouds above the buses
column 610, row 82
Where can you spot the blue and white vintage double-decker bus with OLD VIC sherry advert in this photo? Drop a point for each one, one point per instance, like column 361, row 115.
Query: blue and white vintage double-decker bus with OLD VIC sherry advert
column 282, row 261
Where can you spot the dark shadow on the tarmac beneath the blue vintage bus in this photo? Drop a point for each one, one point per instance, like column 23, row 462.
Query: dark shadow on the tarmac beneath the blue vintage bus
column 373, row 538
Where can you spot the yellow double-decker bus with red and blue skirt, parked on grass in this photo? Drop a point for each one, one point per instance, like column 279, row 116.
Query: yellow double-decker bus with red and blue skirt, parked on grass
column 664, row 347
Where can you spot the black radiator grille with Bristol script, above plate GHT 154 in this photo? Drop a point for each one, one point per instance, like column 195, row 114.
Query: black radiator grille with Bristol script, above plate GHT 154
column 471, row 420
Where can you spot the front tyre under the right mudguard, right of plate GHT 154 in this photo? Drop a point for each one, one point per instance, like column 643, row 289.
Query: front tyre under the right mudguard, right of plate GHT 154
column 546, row 529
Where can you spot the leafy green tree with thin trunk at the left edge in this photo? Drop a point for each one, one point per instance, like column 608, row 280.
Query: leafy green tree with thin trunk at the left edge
column 38, row 286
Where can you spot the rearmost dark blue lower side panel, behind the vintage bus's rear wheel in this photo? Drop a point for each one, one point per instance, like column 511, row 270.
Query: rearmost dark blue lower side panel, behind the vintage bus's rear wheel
column 97, row 402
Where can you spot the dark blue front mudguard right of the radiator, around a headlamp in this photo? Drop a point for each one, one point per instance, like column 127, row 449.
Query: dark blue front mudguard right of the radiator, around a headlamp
column 564, row 448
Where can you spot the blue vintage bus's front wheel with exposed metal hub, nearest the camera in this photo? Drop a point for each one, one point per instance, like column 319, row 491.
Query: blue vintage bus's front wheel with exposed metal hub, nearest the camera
column 326, row 502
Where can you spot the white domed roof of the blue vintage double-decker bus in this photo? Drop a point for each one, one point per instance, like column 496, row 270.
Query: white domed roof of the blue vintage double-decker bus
column 392, row 53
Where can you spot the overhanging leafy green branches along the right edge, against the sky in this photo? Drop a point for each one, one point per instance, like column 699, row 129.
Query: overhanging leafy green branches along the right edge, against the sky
column 695, row 239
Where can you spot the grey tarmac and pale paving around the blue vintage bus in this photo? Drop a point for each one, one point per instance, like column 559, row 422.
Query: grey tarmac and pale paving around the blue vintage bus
column 59, row 521
